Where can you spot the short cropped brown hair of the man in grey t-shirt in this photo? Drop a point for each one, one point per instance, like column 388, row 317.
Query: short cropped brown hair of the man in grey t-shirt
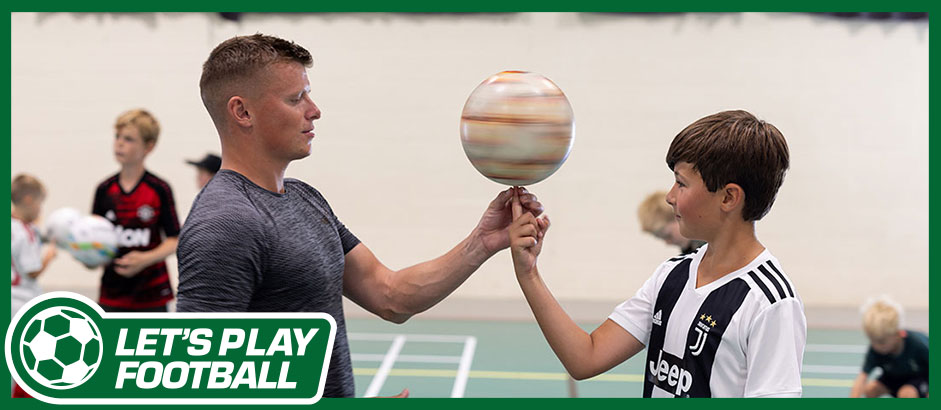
column 237, row 60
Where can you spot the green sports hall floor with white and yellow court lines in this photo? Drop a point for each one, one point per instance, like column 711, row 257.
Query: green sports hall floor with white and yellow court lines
column 462, row 358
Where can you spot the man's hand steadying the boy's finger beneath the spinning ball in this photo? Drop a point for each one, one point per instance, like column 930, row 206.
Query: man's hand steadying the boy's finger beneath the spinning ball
column 492, row 228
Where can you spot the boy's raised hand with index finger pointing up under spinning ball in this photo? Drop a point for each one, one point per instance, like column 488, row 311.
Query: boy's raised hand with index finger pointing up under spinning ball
column 526, row 235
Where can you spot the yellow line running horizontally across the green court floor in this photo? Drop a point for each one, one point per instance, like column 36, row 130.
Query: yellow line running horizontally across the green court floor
column 489, row 374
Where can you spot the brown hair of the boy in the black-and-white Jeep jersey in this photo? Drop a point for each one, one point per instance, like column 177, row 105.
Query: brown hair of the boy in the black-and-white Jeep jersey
column 735, row 147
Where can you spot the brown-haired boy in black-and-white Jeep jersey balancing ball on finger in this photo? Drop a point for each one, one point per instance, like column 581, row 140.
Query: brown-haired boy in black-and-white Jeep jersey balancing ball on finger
column 725, row 321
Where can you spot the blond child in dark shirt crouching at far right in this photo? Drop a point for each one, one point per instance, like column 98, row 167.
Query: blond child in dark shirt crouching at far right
column 902, row 355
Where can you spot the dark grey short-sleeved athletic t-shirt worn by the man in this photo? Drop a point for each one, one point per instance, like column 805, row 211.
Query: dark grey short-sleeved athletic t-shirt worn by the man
column 246, row 249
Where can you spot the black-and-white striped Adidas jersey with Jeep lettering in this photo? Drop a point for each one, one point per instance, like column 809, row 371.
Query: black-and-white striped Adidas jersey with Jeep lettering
column 740, row 336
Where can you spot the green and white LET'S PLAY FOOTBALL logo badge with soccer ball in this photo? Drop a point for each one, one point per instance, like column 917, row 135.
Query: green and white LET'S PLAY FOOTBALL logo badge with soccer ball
column 62, row 348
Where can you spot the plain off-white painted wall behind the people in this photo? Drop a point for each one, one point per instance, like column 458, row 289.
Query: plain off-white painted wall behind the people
column 850, row 96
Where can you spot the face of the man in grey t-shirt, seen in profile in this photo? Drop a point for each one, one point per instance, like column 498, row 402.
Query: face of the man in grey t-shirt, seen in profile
column 282, row 111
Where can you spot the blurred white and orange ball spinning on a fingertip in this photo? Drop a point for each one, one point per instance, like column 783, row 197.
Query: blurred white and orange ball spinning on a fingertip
column 517, row 128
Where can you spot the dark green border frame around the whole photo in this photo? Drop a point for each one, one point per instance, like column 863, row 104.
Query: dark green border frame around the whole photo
column 428, row 6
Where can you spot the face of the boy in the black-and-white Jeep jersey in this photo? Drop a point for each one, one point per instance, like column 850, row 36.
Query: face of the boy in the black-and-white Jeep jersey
column 696, row 209
